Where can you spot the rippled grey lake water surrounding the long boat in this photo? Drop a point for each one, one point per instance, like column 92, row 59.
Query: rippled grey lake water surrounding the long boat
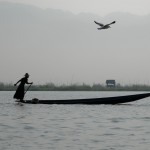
column 74, row 127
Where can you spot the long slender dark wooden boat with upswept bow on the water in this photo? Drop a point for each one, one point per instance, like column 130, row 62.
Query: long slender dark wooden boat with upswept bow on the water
column 104, row 100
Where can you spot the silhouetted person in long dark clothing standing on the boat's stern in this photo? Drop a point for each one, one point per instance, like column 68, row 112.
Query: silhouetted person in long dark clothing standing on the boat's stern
column 19, row 95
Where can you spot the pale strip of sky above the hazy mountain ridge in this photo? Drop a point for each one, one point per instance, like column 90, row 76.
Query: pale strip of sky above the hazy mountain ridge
column 101, row 7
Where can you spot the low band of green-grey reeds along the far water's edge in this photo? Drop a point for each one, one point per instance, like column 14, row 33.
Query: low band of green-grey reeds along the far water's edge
column 77, row 87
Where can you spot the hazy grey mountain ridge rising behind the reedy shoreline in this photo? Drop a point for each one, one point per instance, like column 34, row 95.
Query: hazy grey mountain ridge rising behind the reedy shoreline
column 61, row 44
